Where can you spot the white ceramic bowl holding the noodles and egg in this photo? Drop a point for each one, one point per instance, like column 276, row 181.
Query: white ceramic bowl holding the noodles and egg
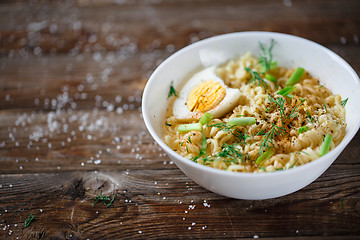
column 289, row 51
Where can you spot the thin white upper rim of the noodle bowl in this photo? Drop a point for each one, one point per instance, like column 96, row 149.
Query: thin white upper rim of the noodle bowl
column 333, row 154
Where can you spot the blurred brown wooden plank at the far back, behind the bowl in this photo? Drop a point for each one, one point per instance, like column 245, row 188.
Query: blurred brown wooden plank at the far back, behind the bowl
column 151, row 26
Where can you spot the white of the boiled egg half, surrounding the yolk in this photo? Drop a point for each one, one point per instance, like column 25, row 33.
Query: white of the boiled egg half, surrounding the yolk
column 180, row 109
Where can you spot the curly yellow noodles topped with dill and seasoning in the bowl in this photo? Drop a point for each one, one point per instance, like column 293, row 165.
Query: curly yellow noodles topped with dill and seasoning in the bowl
column 278, row 119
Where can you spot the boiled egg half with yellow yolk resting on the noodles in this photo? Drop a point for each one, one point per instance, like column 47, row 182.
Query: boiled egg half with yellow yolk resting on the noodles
column 205, row 92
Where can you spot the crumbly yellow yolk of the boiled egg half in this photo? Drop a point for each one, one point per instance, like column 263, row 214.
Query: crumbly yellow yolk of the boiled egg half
column 205, row 96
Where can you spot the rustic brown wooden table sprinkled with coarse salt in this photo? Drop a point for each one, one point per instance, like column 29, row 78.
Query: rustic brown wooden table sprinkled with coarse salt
column 71, row 80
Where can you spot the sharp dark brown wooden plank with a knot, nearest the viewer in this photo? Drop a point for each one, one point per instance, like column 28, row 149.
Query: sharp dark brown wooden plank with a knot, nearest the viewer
column 176, row 203
